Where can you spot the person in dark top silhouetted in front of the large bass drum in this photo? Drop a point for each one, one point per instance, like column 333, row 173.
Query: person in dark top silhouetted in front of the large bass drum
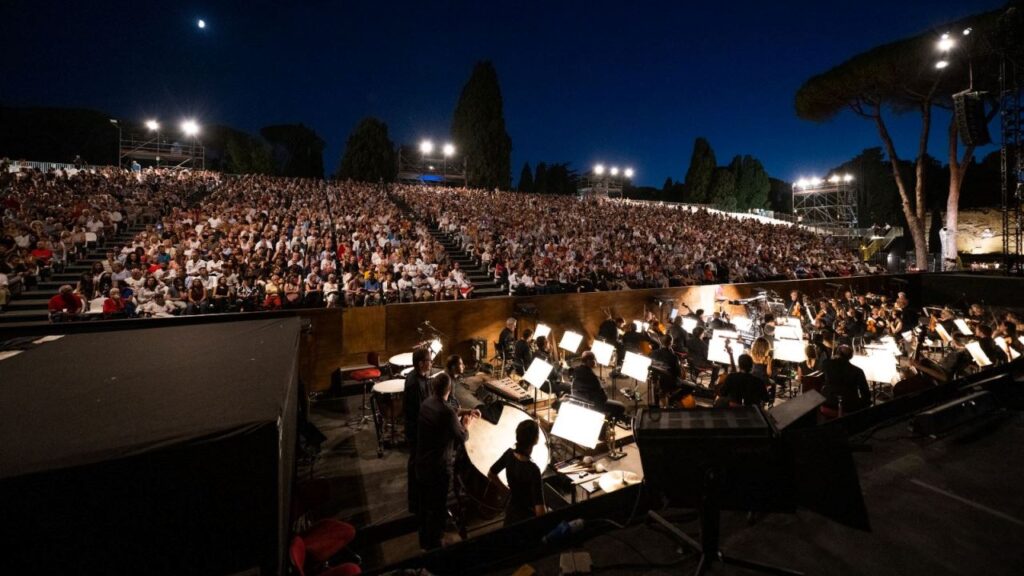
column 526, row 490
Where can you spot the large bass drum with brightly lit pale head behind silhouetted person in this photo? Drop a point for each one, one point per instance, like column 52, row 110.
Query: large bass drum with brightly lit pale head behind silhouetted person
column 487, row 443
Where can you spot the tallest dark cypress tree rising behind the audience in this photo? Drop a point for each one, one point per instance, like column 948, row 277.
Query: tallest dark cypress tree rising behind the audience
column 479, row 129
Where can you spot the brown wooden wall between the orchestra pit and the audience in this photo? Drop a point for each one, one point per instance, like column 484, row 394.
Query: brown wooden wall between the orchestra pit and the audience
column 344, row 338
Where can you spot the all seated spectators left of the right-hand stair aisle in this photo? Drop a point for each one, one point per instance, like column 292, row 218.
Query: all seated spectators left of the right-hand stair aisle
column 254, row 243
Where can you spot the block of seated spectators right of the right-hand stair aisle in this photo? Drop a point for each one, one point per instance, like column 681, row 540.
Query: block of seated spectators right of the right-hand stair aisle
column 542, row 244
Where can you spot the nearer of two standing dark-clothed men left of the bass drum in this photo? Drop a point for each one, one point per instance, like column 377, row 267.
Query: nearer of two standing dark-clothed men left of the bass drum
column 439, row 432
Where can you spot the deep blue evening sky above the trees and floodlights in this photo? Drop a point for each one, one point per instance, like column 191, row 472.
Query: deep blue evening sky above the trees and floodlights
column 620, row 83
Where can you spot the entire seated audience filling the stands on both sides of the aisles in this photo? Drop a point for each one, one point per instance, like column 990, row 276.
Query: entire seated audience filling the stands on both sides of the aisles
column 210, row 243
